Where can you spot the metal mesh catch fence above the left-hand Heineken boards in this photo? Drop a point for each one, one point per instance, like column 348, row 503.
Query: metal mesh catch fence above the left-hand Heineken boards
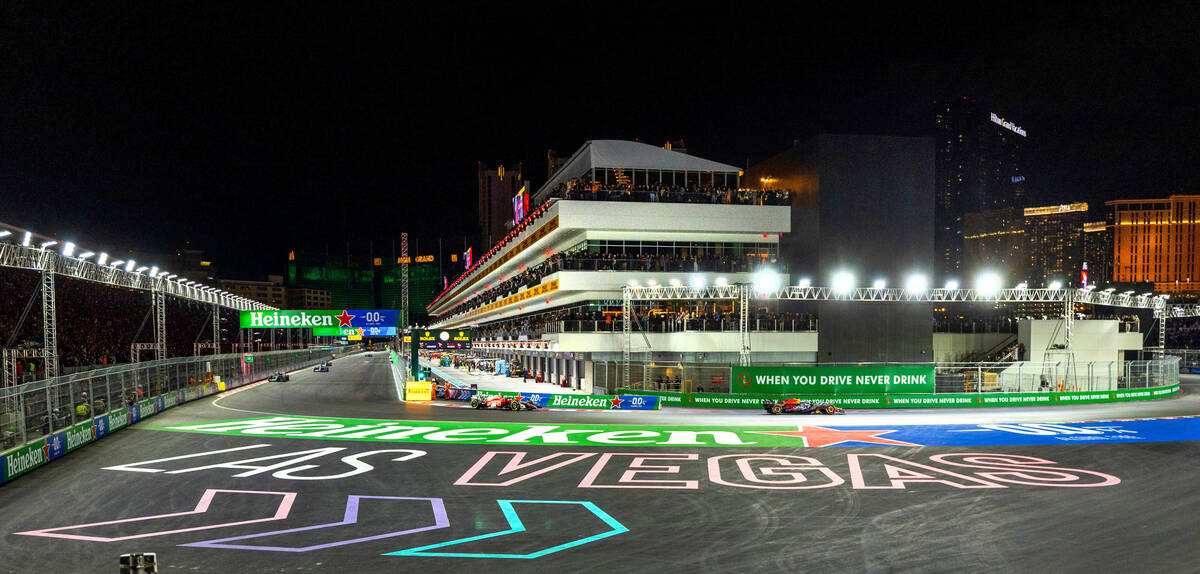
column 32, row 411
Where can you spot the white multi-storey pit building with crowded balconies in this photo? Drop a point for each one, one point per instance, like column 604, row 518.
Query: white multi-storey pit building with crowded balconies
column 549, row 294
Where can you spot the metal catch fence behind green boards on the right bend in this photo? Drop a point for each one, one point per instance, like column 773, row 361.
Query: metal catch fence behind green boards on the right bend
column 950, row 378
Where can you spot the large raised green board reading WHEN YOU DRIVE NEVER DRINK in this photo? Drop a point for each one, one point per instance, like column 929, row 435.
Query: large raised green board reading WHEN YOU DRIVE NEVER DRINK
column 833, row 380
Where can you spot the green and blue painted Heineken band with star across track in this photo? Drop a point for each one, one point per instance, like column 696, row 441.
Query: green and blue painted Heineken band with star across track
column 801, row 434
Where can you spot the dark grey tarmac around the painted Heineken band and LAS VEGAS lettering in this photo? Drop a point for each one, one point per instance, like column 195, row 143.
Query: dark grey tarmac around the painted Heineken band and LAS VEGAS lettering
column 1147, row 523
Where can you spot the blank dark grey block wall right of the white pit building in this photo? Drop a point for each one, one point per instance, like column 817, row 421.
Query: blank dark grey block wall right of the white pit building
column 865, row 204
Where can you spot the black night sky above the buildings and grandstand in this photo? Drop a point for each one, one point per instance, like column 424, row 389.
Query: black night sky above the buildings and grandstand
column 250, row 129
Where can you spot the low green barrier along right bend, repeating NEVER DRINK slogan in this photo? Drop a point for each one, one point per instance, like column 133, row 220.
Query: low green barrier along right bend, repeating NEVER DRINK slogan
column 916, row 402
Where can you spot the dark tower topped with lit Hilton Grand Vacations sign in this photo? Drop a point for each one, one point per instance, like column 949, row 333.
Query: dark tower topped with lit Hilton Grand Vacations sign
column 981, row 166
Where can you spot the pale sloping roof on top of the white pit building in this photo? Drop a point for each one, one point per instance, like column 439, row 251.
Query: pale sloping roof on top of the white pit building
column 631, row 156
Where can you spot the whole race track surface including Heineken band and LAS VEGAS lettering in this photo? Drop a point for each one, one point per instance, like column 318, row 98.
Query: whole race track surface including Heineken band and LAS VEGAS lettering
column 1053, row 489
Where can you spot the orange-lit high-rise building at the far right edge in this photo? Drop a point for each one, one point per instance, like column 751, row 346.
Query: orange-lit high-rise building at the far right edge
column 1157, row 241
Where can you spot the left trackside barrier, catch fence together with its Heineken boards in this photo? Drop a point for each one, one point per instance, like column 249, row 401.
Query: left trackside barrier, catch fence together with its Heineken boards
column 49, row 420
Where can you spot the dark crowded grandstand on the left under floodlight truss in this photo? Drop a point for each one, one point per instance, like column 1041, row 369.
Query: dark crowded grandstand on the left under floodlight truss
column 68, row 309
